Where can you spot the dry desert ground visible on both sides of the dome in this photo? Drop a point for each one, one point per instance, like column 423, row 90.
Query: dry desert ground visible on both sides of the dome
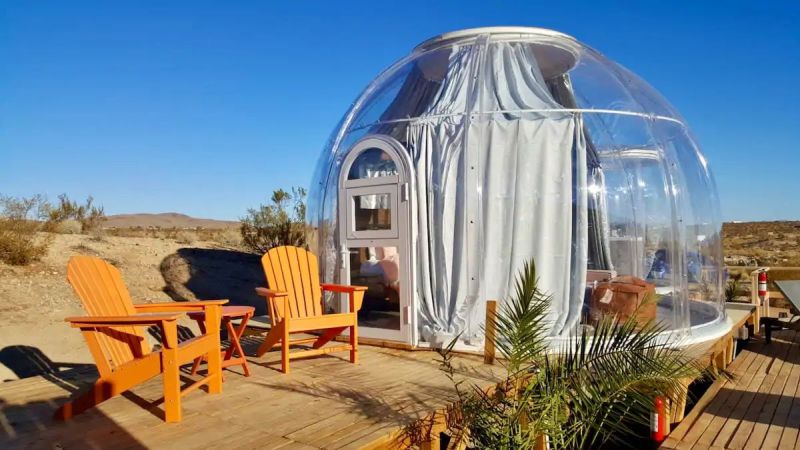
column 171, row 257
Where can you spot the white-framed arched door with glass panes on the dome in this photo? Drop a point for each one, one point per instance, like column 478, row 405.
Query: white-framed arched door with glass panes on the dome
column 374, row 236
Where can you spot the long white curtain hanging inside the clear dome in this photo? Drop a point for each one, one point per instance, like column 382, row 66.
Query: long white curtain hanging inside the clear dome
column 496, row 189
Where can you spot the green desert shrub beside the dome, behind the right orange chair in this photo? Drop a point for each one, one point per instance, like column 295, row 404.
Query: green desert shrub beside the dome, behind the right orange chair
column 282, row 222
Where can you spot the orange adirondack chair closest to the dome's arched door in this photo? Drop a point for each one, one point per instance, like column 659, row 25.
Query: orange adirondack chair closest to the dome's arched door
column 294, row 299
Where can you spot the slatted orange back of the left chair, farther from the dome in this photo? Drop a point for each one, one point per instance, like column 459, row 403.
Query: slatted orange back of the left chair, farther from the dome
column 102, row 292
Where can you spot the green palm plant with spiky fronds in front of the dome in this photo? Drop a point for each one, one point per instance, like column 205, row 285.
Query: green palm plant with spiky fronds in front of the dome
column 595, row 390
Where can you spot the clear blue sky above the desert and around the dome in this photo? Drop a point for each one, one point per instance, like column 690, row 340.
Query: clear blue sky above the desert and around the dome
column 205, row 107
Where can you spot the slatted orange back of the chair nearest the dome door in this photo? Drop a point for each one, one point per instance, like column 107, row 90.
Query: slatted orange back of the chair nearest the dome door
column 294, row 270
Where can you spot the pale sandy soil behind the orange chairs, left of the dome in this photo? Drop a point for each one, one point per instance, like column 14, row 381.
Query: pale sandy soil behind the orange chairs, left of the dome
column 34, row 300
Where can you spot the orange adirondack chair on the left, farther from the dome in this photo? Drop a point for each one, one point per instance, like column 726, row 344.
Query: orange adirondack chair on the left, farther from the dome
column 113, row 332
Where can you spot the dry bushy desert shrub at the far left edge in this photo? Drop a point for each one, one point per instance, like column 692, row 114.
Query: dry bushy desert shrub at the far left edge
column 20, row 223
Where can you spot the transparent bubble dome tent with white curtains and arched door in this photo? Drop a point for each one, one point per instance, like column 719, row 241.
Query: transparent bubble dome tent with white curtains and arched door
column 488, row 147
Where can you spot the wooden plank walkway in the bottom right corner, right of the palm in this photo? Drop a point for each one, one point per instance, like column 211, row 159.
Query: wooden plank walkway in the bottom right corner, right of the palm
column 759, row 408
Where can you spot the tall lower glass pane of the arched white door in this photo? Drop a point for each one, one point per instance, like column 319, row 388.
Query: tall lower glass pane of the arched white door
column 377, row 268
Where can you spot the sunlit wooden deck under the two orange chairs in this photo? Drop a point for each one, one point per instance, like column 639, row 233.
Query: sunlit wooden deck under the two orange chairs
column 325, row 402
